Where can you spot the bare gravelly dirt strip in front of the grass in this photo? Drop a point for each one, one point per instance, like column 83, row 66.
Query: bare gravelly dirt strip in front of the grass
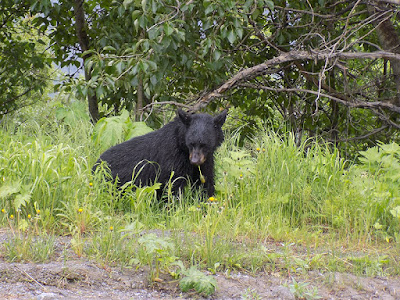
column 80, row 278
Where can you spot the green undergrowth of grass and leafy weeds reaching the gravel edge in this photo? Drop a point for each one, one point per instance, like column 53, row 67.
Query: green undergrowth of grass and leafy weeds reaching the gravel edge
column 269, row 190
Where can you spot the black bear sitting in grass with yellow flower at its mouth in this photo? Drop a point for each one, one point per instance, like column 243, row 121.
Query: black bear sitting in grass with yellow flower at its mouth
column 181, row 146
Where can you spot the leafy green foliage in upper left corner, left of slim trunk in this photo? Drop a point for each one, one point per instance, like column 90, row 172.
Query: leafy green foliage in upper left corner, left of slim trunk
column 24, row 63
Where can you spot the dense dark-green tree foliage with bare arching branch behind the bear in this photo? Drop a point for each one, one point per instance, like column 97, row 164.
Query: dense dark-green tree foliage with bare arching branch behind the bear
column 323, row 68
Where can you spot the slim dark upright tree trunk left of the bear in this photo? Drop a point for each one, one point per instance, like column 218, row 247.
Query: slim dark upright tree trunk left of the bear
column 80, row 27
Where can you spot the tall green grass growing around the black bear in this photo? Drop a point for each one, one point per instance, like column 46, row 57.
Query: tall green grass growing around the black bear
column 269, row 189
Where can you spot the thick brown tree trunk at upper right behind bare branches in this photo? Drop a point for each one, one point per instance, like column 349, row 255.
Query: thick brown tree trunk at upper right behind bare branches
column 389, row 40
